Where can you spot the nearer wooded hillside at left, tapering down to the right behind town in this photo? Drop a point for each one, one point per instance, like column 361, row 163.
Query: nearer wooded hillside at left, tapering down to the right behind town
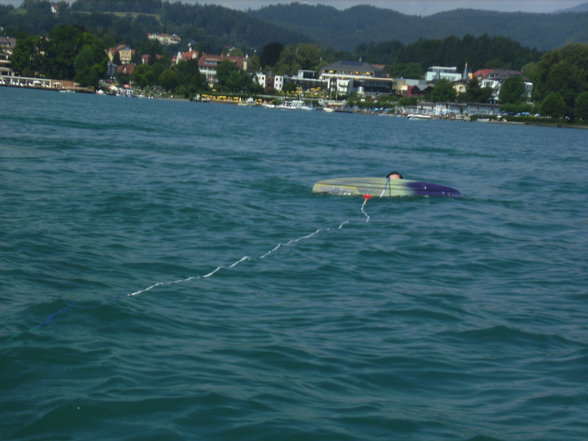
column 211, row 27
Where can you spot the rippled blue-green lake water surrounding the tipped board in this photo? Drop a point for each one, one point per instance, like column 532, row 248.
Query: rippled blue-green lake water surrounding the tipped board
column 437, row 319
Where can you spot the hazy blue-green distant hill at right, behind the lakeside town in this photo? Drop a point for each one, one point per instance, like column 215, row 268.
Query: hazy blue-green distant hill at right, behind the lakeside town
column 347, row 29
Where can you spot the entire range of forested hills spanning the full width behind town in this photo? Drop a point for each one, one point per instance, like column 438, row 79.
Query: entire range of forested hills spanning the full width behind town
column 214, row 27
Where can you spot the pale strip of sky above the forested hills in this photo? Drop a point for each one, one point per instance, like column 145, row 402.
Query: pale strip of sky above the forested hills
column 415, row 7
